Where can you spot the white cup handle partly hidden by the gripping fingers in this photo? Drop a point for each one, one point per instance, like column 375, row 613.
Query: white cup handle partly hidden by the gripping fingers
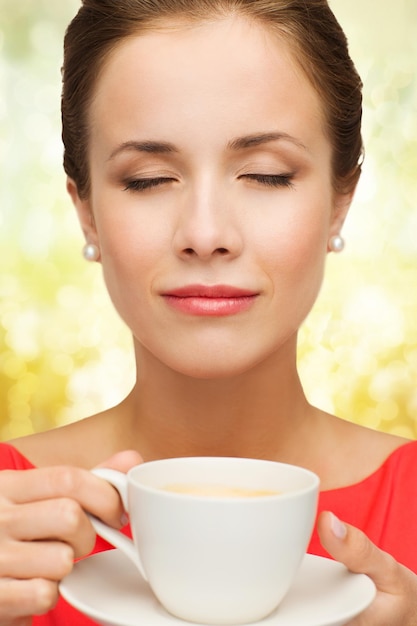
column 113, row 536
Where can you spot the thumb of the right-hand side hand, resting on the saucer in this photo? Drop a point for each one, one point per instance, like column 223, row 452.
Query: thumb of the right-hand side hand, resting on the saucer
column 351, row 546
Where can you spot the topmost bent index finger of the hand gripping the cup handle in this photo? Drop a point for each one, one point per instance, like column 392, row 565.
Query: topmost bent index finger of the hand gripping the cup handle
column 92, row 493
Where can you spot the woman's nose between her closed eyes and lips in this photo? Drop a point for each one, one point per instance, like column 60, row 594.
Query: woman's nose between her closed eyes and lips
column 207, row 227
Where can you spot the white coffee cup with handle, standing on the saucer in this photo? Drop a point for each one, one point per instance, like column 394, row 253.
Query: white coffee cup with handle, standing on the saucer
column 222, row 558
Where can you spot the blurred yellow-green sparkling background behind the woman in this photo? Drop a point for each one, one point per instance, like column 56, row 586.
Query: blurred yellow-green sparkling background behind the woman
column 63, row 351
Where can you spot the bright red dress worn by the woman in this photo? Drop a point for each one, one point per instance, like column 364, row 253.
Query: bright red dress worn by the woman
column 383, row 505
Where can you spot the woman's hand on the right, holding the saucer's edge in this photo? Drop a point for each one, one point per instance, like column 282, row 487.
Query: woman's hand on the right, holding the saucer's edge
column 396, row 601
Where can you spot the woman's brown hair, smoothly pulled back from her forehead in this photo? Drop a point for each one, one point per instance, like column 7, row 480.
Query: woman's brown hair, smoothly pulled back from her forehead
column 309, row 26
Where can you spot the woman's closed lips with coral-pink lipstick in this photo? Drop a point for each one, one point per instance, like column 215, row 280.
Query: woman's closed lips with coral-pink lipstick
column 210, row 300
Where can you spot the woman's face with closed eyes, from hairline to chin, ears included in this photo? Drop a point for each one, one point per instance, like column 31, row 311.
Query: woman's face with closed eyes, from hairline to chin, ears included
column 211, row 196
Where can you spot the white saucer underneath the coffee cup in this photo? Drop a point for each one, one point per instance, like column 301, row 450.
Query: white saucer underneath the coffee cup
column 108, row 588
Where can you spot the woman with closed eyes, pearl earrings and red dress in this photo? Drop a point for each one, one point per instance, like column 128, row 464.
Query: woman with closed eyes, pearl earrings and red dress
column 212, row 149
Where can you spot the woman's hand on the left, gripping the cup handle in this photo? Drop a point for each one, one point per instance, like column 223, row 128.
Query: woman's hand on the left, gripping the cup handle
column 44, row 527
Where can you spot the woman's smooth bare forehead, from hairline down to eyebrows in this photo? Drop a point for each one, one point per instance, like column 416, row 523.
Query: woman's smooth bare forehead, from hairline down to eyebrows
column 226, row 71
